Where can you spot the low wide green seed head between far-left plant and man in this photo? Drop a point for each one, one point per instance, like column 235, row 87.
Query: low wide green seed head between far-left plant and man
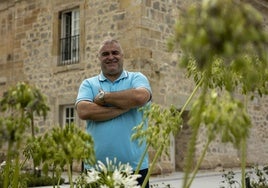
column 60, row 147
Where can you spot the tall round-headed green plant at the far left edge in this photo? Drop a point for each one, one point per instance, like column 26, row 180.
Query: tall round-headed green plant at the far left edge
column 18, row 105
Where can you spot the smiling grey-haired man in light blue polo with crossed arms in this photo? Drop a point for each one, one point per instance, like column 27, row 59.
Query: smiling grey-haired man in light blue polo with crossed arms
column 110, row 103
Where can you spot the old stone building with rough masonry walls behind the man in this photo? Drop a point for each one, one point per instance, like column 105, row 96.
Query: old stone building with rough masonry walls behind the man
column 52, row 44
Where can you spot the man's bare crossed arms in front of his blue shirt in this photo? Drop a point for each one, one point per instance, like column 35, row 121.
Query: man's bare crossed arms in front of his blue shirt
column 121, row 102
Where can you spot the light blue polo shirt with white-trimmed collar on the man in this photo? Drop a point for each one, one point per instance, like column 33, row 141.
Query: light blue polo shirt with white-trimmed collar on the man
column 112, row 138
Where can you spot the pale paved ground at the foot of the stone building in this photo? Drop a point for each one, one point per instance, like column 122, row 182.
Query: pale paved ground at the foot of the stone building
column 208, row 179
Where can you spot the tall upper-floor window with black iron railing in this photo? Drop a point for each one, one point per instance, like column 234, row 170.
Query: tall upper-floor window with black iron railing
column 69, row 41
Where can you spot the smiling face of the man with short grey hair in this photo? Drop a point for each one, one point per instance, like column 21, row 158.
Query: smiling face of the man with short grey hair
column 111, row 59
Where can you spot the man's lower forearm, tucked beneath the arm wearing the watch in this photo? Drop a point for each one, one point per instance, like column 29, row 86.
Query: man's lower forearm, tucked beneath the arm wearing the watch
column 91, row 111
